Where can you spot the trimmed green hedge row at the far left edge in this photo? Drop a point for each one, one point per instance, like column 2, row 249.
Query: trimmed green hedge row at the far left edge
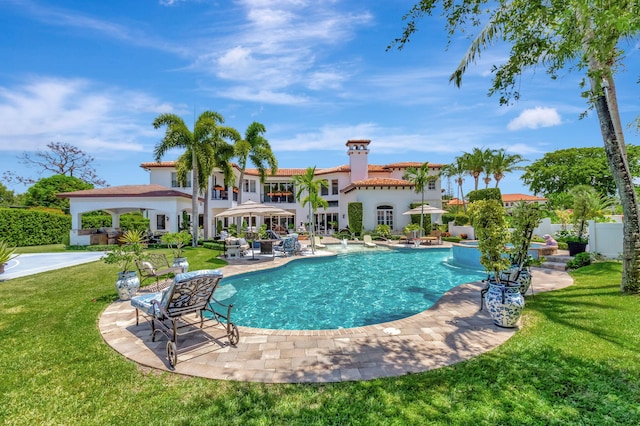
column 19, row 227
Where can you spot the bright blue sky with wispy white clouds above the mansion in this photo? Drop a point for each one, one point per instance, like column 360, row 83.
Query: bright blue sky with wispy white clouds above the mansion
column 316, row 73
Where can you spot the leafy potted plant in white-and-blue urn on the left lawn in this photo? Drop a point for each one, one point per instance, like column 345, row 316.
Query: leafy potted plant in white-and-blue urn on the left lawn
column 124, row 255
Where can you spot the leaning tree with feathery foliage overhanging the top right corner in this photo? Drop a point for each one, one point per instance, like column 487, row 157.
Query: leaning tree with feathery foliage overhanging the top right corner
column 583, row 35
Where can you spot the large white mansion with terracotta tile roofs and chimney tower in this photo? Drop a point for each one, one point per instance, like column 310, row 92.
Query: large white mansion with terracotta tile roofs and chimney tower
column 384, row 195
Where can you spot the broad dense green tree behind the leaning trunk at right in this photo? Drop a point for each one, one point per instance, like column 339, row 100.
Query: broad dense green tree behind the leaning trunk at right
column 558, row 171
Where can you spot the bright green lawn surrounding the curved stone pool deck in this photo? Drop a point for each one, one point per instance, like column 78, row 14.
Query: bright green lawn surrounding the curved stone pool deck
column 575, row 360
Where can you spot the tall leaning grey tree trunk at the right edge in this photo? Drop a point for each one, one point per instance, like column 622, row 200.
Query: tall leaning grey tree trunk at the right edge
column 617, row 159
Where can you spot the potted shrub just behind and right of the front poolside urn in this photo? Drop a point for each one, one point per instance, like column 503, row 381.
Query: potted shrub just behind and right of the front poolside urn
column 524, row 219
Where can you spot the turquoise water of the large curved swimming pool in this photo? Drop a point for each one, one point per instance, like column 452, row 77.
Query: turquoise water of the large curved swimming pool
column 347, row 290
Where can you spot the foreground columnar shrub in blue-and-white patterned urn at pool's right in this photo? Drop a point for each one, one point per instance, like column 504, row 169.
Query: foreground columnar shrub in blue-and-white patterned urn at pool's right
column 502, row 297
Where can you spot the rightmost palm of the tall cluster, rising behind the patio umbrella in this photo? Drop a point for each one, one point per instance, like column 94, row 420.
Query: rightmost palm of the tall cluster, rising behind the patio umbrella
column 256, row 149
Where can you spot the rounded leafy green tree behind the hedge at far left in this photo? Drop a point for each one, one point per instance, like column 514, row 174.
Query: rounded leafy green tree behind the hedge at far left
column 43, row 193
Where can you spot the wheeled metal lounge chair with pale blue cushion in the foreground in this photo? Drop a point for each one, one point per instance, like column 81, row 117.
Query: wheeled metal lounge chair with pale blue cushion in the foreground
column 190, row 293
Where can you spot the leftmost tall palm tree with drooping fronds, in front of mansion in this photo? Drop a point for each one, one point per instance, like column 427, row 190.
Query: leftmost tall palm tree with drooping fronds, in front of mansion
column 197, row 144
